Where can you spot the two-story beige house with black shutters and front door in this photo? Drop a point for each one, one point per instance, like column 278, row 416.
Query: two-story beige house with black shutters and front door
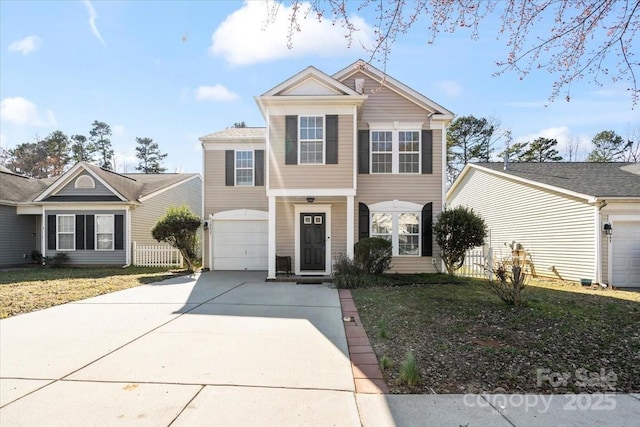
column 342, row 157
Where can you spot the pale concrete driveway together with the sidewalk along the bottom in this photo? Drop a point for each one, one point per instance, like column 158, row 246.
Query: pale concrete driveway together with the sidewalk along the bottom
column 224, row 349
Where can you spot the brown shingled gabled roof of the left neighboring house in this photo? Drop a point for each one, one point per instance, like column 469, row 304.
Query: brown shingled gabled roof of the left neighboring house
column 129, row 188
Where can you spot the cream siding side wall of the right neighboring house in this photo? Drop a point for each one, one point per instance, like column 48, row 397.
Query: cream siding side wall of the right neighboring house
column 558, row 230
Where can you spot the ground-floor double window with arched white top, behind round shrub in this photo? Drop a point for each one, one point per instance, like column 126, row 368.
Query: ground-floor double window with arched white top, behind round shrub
column 401, row 229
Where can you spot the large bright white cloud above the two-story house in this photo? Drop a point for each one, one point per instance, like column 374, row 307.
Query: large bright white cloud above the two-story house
column 254, row 34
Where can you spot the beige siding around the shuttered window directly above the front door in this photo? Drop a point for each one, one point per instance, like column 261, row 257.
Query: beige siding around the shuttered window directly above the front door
column 283, row 176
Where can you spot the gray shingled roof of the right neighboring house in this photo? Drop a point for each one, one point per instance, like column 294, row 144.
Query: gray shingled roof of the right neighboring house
column 589, row 179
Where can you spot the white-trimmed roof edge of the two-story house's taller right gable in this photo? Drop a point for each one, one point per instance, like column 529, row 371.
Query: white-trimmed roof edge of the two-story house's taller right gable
column 362, row 66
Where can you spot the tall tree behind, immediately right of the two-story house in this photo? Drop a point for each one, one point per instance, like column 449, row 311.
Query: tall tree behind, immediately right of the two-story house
column 468, row 139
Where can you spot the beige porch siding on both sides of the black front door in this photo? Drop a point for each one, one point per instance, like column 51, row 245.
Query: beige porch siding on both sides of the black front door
column 285, row 230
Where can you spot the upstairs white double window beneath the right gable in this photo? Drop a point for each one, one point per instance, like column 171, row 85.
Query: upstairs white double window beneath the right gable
column 395, row 151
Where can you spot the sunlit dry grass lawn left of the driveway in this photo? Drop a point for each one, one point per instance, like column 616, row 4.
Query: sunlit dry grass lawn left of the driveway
column 30, row 289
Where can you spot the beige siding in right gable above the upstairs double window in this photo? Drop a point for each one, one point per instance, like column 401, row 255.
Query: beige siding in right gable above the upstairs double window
column 385, row 105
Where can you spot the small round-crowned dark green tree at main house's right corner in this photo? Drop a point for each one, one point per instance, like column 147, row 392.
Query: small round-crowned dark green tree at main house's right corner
column 458, row 230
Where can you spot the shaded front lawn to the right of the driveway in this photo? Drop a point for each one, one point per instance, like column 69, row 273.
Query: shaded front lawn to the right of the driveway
column 466, row 340
